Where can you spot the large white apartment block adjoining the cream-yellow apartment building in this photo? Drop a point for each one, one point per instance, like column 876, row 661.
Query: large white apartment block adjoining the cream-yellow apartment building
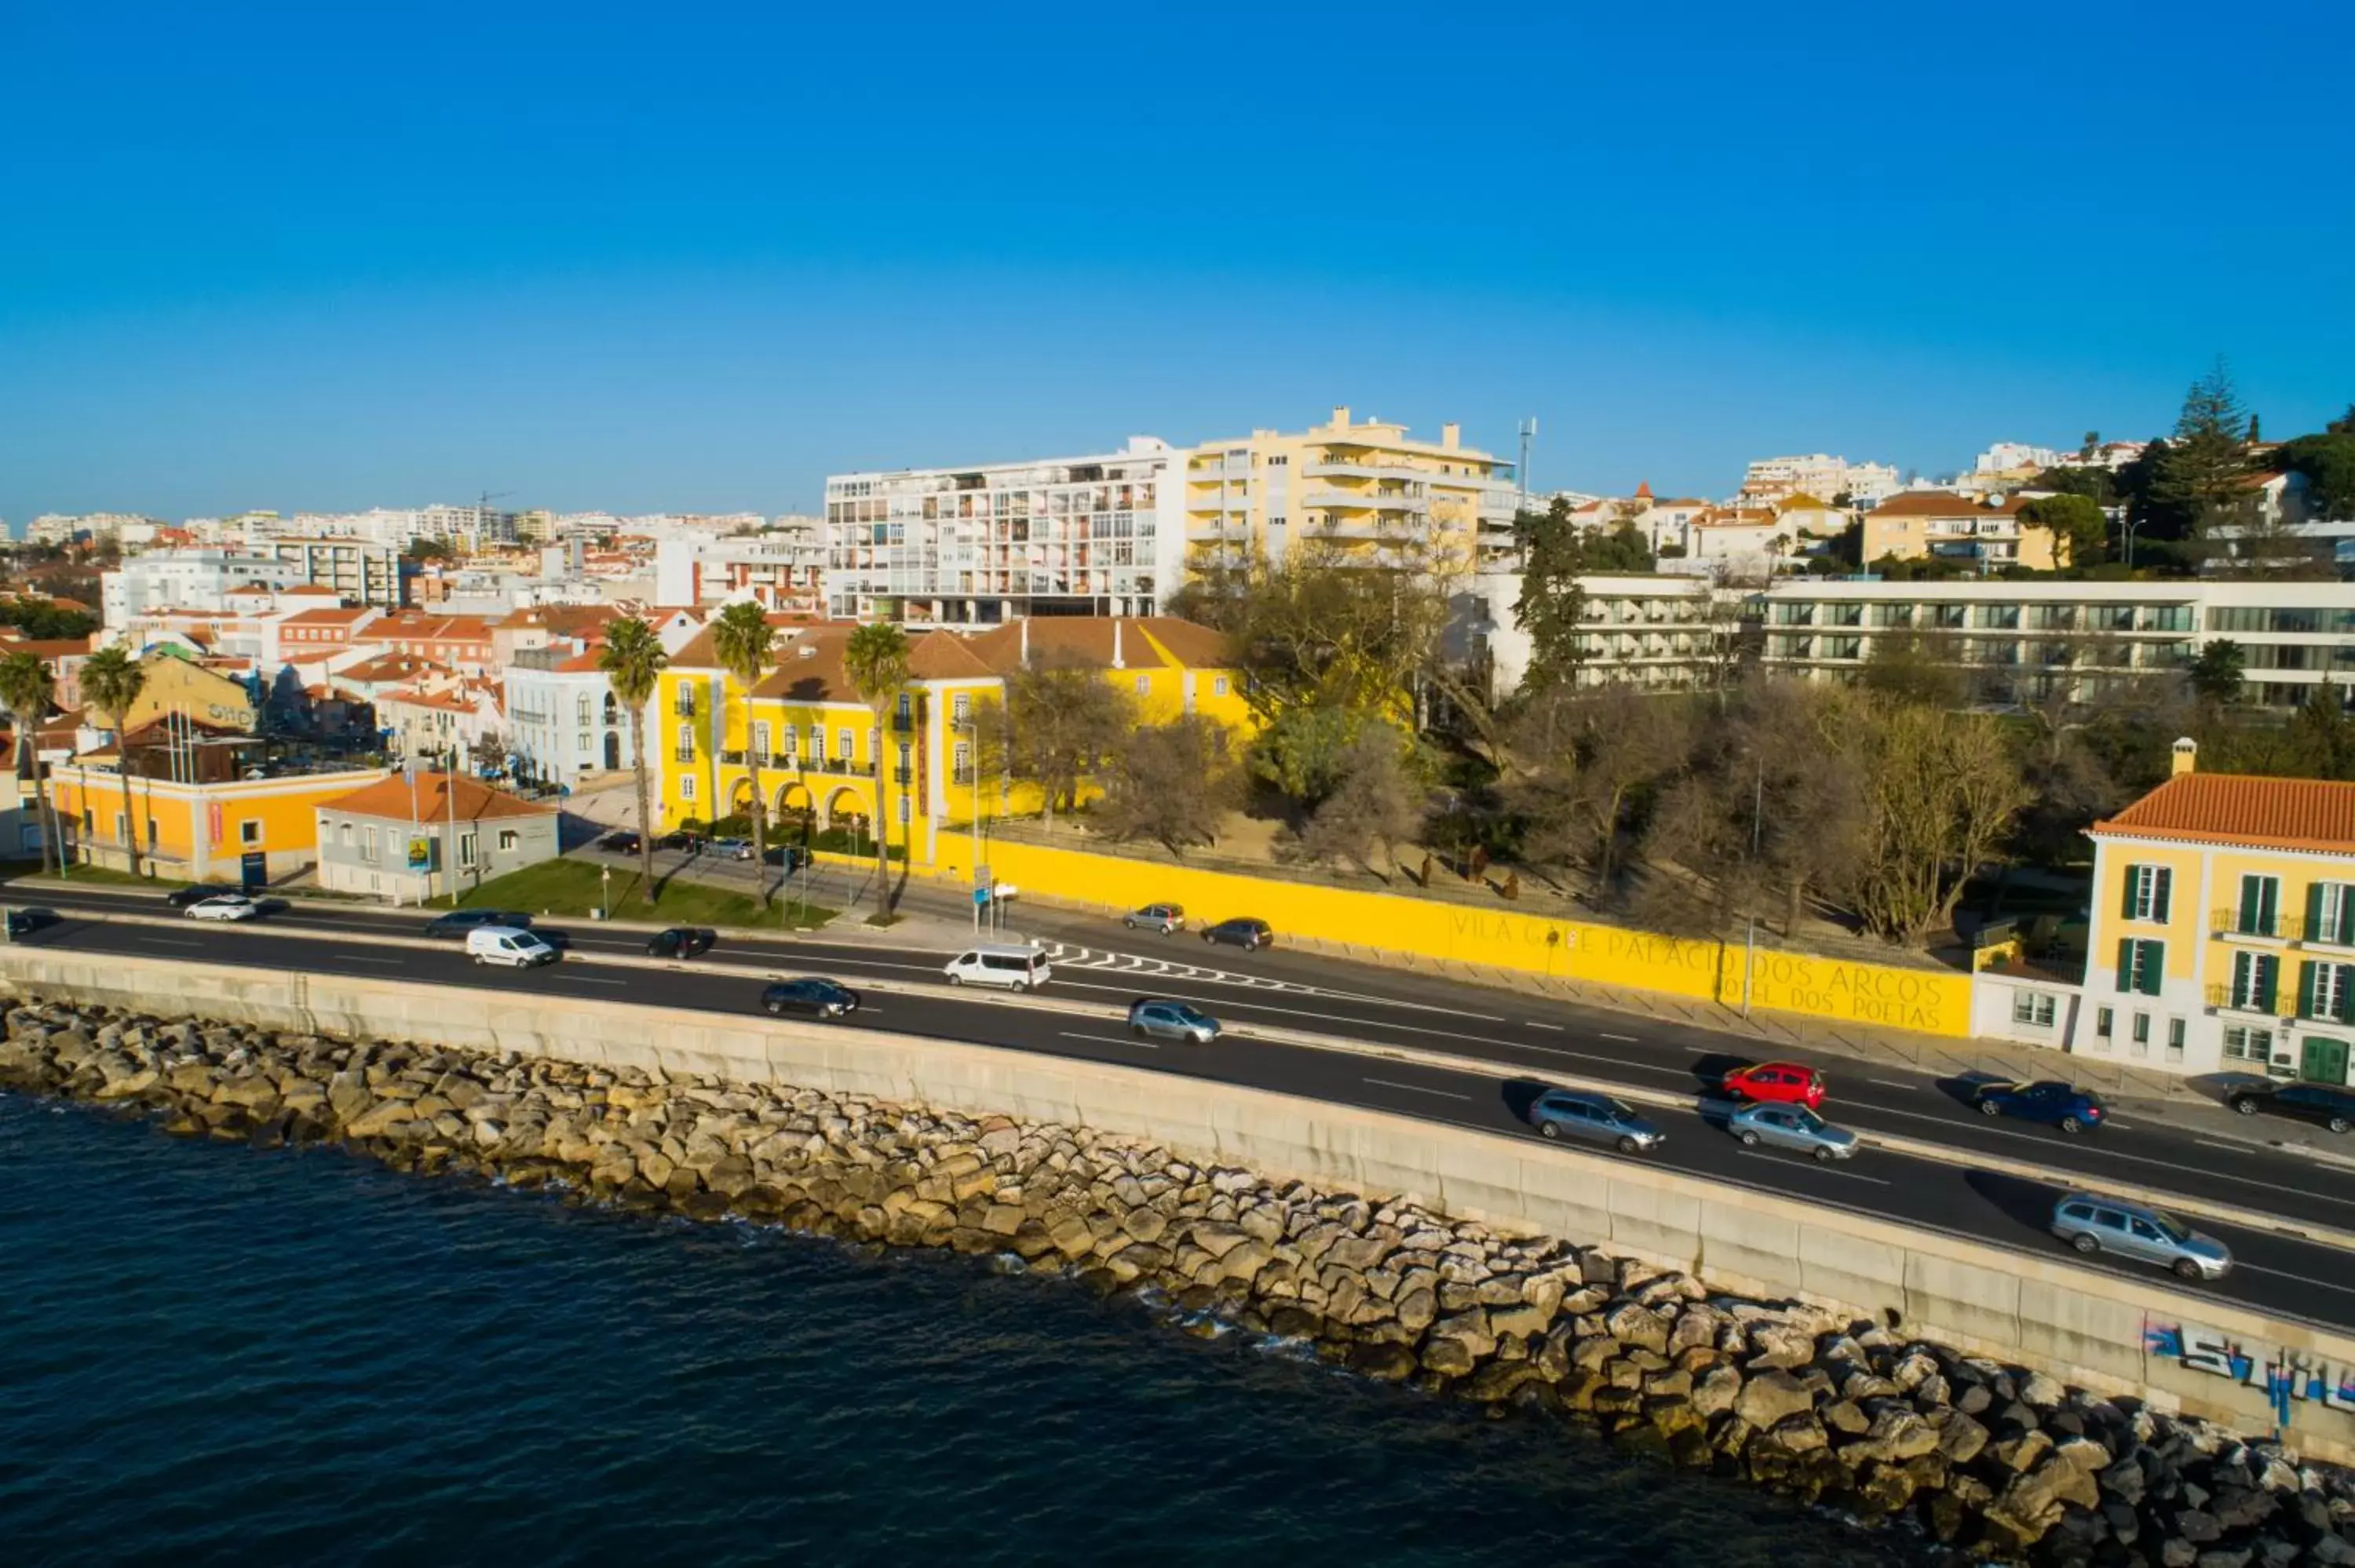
column 993, row 543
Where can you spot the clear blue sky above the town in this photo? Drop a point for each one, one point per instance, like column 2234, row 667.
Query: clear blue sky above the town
column 696, row 258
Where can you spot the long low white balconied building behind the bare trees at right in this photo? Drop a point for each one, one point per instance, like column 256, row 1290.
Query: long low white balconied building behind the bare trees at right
column 2017, row 642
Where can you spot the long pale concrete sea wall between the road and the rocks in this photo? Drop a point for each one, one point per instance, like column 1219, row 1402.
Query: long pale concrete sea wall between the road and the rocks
column 2118, row 1336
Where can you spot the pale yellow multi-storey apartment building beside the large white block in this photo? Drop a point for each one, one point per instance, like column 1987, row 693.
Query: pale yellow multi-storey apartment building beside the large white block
column 1360, row 484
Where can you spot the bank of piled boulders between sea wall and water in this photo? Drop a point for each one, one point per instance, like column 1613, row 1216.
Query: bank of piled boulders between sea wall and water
column 1850, row 1416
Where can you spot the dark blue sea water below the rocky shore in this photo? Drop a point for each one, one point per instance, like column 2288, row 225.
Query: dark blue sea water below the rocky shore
column 213, row 1355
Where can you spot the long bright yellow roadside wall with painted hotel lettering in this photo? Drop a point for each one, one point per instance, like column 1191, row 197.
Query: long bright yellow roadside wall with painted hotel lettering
column 1932, row 1002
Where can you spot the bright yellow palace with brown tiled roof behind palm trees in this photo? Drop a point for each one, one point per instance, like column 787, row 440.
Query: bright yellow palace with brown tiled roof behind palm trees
column 823, row 755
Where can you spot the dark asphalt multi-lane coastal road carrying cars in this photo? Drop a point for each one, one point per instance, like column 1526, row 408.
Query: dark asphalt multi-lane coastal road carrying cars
column 1511, row 1044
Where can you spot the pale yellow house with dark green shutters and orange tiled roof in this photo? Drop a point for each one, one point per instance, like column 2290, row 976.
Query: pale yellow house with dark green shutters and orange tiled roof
column 2224, row 929
